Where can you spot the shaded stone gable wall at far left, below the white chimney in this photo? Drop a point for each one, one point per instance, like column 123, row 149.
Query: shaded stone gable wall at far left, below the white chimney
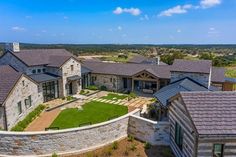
column 10, row 59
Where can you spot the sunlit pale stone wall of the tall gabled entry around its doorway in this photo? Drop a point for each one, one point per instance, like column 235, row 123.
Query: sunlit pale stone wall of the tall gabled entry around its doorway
column 66, row 72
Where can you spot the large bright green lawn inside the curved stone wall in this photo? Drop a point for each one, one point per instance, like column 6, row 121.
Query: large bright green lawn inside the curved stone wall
column 92, row 112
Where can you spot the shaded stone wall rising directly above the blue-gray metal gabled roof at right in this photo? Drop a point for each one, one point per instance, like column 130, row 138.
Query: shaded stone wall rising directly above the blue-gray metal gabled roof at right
column 201, row 78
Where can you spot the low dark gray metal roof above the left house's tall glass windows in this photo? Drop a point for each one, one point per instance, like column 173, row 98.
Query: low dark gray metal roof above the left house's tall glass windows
column 44, row 77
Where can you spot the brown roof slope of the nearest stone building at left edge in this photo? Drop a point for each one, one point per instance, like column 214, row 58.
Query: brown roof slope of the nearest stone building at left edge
column 8, row 79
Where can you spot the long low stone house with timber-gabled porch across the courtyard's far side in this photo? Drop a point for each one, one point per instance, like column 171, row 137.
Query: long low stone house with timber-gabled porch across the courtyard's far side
column 150, row 78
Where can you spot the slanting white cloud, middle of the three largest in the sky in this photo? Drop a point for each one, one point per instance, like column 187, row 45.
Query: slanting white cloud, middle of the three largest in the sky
column 176, row 10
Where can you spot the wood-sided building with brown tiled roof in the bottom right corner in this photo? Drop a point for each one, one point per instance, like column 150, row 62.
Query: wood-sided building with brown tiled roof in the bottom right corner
column 203, row 124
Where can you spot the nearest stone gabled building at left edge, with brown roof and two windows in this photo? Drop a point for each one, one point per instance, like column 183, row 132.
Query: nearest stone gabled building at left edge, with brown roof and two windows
column 19, row 95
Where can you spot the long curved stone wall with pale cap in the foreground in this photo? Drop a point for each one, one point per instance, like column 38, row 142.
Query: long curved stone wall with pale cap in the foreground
column 64, row 141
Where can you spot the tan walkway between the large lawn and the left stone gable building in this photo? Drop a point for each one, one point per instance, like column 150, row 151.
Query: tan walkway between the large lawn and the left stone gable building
column 43, row 121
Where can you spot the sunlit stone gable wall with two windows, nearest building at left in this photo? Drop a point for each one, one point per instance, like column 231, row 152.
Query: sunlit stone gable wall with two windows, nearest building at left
column 22, row 90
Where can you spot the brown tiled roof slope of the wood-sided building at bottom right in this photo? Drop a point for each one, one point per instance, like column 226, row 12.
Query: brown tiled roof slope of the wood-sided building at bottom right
column 213, row 113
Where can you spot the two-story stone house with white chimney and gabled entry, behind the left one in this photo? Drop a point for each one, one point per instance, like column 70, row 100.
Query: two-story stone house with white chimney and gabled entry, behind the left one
column 57, row 71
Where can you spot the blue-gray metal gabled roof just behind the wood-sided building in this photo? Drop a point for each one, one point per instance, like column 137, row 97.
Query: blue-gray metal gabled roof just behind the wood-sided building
column 164, row 94
